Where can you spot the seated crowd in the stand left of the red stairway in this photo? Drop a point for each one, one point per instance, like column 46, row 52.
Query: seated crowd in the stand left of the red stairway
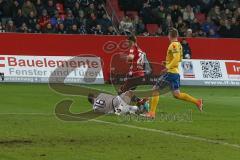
column 55, row 16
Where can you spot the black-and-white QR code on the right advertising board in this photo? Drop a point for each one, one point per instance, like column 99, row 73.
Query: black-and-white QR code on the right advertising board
column 211, row 69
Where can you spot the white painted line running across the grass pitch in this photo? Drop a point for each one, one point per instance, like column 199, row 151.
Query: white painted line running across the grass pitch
column 142, row 128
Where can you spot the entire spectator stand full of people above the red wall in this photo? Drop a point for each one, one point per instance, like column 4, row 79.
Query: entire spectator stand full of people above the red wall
column 200, row 18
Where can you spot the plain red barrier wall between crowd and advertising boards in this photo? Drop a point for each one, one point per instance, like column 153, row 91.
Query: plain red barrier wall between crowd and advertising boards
column 155, row 47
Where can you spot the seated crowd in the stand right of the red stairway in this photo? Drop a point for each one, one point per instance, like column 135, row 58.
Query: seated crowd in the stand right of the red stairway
column 193, row 18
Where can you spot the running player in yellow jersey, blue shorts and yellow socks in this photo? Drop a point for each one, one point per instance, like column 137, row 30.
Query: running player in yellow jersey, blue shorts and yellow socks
column 171, row 75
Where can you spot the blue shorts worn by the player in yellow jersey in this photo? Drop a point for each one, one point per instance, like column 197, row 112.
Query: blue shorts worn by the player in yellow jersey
column 173, row 79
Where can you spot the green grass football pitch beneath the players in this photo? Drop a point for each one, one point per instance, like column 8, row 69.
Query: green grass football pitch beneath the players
column 29, row 130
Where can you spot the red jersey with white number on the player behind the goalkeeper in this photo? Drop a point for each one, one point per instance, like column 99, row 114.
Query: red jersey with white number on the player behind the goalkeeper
column 136, row 65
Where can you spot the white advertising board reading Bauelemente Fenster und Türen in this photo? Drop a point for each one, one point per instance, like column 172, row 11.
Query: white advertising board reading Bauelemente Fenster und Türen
column 39, row 69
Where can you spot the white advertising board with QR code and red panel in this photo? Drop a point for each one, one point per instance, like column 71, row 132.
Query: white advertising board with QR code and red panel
column 210, row 72
